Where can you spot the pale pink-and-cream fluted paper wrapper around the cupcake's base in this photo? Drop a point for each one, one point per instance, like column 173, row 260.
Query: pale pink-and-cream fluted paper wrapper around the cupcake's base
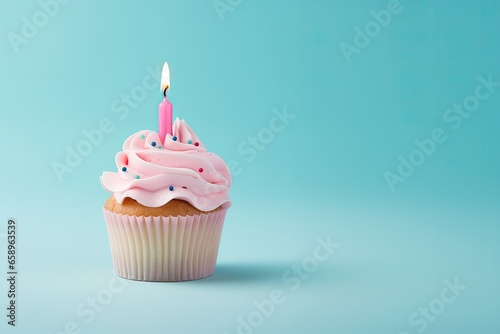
column 164, row 248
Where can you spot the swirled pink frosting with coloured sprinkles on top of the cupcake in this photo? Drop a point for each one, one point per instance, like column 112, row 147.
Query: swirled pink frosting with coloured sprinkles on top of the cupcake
column 197, row 176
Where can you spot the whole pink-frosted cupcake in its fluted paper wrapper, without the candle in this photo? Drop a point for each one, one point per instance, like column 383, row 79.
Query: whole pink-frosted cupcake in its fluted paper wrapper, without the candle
column 168, row 204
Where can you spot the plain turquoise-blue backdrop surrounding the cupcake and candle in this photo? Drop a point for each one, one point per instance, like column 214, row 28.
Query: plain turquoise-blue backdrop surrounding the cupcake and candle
column 322, row 175
